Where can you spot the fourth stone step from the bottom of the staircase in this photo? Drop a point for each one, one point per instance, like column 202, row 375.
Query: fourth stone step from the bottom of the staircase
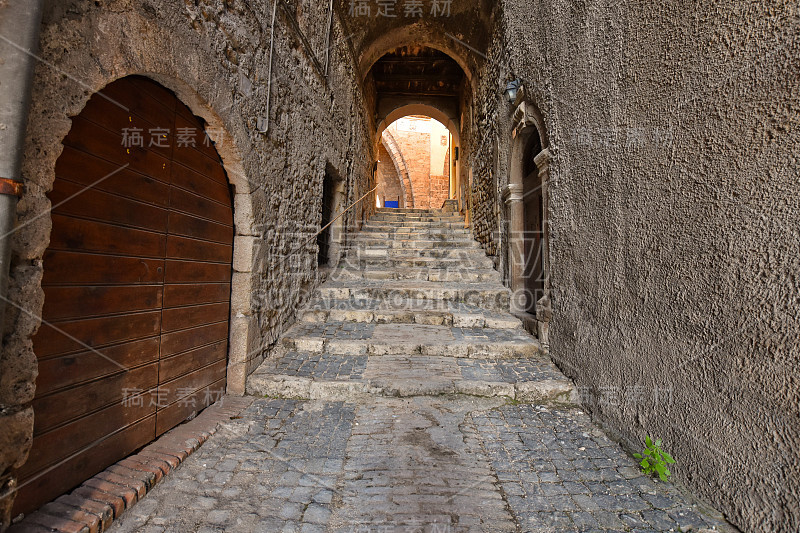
column 491, row 296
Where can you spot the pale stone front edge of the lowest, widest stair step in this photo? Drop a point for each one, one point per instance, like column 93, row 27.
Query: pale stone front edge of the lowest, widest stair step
column 547, row 392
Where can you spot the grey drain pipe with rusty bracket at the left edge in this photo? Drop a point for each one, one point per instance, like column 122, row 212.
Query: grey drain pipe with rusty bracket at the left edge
column 19, row 40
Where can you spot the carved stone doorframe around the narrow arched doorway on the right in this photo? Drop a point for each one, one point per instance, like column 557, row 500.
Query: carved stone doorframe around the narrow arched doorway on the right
column 527, row 120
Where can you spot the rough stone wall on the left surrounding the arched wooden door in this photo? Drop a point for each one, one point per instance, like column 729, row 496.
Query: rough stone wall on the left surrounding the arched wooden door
column 214, row 55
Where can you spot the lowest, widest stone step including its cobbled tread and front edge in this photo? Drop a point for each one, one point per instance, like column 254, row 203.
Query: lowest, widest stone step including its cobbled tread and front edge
column 324, row 376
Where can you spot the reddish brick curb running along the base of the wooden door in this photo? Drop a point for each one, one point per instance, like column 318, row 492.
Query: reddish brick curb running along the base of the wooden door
column 93, row 506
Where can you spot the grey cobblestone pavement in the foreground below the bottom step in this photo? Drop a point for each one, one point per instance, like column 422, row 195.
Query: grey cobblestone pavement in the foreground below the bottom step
column 418, row 464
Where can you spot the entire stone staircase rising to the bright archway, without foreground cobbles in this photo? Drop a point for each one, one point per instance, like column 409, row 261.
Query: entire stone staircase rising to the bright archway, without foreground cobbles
column 414, row 308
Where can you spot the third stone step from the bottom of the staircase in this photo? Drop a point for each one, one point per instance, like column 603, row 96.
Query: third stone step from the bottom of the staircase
column 425, row 312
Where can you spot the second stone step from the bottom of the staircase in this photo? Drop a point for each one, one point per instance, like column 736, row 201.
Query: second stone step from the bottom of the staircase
column 348, row 338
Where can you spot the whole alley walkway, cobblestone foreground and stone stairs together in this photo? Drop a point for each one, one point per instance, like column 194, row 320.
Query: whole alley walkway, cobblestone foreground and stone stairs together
column 411, row 401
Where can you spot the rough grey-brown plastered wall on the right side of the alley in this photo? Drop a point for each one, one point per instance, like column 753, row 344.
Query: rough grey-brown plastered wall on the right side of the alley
column 674, row 227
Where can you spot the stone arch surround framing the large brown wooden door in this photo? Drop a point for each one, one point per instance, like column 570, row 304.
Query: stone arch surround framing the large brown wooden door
column 208, row 95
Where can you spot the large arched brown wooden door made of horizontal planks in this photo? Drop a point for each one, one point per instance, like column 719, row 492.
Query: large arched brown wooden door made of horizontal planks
column 137, row 286
